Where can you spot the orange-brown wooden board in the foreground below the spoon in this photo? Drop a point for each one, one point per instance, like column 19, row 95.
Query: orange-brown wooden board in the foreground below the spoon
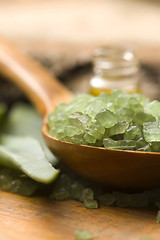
column 34, row 218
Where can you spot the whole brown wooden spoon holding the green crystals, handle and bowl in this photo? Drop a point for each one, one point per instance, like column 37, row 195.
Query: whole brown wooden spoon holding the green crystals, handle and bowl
column 115, row 168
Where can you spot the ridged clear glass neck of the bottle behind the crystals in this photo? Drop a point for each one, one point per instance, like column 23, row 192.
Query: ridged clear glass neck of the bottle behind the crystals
column 115, row 63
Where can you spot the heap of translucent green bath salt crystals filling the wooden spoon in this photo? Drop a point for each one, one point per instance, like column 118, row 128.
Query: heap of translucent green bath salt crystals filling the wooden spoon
column 115, row 121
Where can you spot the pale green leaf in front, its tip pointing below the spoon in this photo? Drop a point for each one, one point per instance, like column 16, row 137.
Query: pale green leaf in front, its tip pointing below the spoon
column 27, row 155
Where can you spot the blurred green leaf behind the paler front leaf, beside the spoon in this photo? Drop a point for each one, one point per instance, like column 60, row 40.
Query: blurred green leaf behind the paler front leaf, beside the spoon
column 24, row 120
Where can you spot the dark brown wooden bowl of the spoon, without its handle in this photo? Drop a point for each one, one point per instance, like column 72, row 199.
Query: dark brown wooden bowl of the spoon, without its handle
column 118, row 169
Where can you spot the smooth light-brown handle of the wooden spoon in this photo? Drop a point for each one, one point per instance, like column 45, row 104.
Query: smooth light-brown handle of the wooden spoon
column 43, row 90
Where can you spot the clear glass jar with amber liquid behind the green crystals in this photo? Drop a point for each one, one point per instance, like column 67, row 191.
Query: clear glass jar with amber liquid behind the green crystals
column 114, row 68
